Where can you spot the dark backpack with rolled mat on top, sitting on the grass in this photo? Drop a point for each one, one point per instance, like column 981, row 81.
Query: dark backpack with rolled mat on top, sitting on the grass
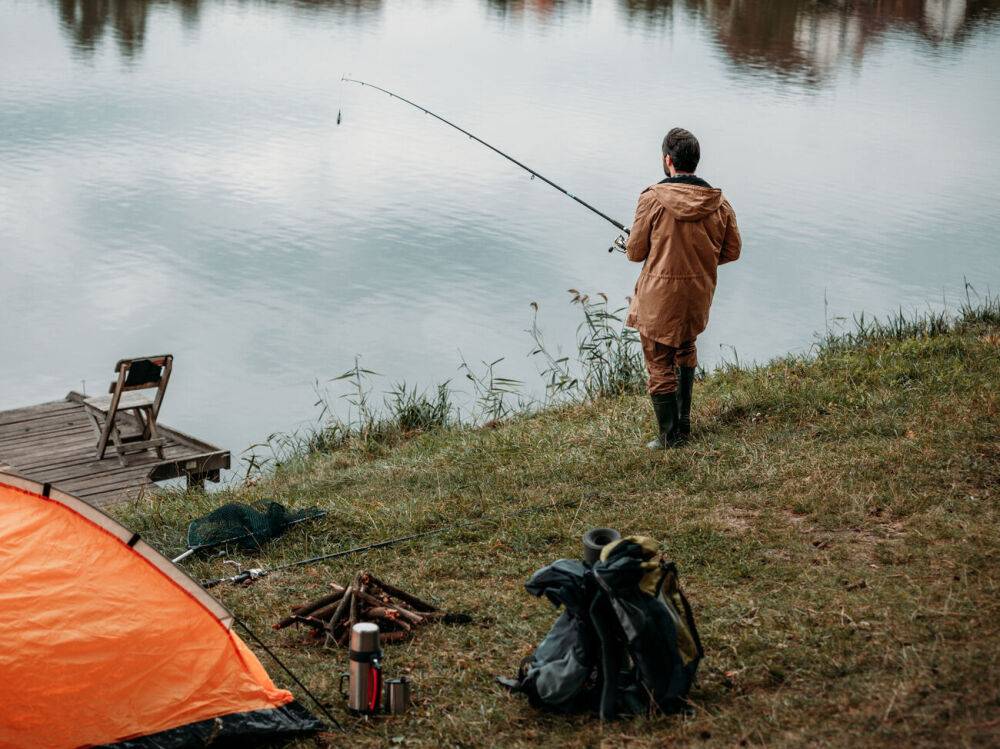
column 626, row 642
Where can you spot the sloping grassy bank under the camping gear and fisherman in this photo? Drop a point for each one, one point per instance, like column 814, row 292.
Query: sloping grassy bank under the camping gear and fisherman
column 834, row 520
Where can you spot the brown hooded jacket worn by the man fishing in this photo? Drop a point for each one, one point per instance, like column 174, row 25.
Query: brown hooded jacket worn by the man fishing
column 683, row 232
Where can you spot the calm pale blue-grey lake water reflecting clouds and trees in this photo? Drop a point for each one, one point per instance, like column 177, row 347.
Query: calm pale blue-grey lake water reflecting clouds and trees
column 173, row 179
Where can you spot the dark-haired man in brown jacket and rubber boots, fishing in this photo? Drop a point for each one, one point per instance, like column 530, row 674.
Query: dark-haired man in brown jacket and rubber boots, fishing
column 684, row 229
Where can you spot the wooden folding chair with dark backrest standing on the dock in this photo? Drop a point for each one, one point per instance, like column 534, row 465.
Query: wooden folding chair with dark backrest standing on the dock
column 106, row 412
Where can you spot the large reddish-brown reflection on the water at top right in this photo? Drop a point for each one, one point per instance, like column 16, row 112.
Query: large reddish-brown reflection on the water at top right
column 807, row 40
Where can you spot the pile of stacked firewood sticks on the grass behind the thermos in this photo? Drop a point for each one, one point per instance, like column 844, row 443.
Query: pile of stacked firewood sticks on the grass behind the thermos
column 366, row 599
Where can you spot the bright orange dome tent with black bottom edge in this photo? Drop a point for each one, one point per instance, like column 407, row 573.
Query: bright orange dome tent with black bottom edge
column 106, row 642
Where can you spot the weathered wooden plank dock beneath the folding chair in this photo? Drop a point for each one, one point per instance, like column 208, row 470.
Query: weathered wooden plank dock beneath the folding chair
column 56, row 442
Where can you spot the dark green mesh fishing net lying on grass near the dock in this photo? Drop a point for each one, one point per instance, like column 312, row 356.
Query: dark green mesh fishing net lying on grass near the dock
column 249, row 526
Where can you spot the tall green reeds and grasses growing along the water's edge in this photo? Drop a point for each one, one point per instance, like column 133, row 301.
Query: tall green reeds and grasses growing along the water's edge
column 608, row 362
